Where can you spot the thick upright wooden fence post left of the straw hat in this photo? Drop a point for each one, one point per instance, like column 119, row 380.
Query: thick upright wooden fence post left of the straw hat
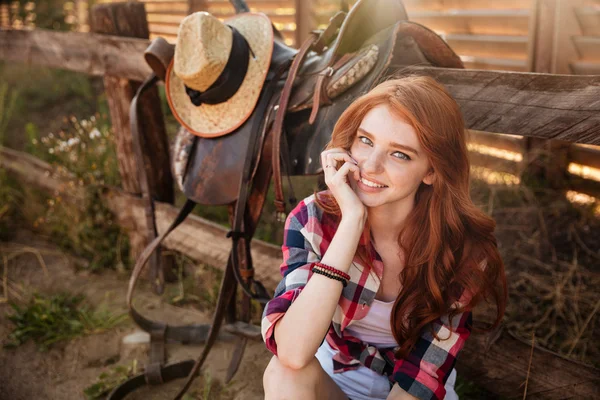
column 129, row 20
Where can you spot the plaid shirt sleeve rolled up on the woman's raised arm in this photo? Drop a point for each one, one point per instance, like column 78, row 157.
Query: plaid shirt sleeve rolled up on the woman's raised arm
column 298, row 255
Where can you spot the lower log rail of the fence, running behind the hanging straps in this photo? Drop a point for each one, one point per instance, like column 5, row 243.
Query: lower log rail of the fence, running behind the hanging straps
column 500, row 367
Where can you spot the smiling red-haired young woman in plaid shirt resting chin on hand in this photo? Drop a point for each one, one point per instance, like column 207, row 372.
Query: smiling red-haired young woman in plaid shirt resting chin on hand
column 382, row 270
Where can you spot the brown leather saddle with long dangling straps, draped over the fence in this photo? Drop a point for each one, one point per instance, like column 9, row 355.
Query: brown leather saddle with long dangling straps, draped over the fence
column 305, row 92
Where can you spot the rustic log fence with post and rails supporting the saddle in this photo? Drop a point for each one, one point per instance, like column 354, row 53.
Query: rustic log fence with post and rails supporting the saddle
column 502, row 364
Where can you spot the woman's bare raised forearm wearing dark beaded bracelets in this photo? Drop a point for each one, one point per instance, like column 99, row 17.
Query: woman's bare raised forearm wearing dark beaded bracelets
column 300, row 331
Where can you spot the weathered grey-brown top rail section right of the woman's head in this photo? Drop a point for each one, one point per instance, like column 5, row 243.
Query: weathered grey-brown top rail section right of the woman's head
column 528, row 104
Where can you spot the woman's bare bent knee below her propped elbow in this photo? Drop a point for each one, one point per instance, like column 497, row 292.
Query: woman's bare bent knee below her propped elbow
column 308, row 383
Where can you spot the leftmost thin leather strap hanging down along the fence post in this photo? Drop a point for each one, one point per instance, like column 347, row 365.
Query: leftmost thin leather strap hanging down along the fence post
column 156, row 271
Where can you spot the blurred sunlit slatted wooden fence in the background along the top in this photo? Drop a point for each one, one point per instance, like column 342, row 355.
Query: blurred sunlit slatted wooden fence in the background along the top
column 487, row 34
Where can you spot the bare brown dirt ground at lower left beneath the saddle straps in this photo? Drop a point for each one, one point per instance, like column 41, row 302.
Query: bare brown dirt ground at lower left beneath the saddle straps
column 67, row 368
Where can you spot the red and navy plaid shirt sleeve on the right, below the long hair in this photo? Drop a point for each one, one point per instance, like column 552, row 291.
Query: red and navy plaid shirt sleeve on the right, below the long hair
column 423, row 373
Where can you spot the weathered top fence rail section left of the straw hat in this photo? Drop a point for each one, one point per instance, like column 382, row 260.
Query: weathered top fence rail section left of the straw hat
column 88, row 53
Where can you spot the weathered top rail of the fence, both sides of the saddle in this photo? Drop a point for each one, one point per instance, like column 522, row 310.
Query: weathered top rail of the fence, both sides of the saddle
column 527, row 104
